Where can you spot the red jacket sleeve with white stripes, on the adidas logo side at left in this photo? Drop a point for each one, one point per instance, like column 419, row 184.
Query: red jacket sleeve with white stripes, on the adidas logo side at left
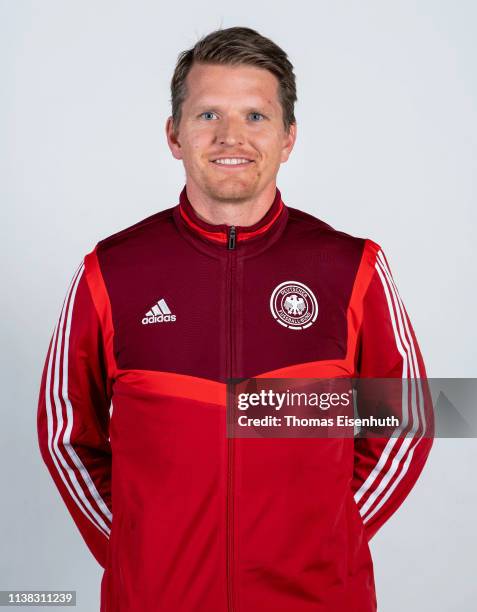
column 73, row 416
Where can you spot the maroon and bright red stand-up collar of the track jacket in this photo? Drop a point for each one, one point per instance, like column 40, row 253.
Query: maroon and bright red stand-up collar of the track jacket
column 220, row 235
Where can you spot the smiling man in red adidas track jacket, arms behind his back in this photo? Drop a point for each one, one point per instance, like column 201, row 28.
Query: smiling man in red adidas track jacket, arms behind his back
column 158, row 317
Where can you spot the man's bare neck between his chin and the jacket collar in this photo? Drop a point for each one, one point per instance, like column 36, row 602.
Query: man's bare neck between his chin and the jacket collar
column 241, row 213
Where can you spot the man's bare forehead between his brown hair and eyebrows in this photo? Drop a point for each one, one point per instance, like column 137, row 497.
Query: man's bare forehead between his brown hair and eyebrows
column 215, row 83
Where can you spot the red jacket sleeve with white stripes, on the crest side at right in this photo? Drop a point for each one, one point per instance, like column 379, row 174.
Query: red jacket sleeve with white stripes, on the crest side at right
column 386, row 469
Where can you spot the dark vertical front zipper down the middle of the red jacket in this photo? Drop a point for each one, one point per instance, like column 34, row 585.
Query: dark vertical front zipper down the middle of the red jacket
column 230, row 441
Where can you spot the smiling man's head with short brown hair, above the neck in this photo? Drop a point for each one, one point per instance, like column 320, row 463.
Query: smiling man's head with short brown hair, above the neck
column 233, row 97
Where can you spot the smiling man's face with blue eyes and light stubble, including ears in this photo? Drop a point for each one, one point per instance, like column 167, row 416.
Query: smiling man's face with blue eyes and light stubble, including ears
column 231, row 113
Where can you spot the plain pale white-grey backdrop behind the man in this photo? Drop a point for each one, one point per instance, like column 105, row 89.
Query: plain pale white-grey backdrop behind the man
column 387, row 137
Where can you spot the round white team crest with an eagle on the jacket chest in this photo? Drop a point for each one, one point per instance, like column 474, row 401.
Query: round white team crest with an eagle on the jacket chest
column 294, row 305
